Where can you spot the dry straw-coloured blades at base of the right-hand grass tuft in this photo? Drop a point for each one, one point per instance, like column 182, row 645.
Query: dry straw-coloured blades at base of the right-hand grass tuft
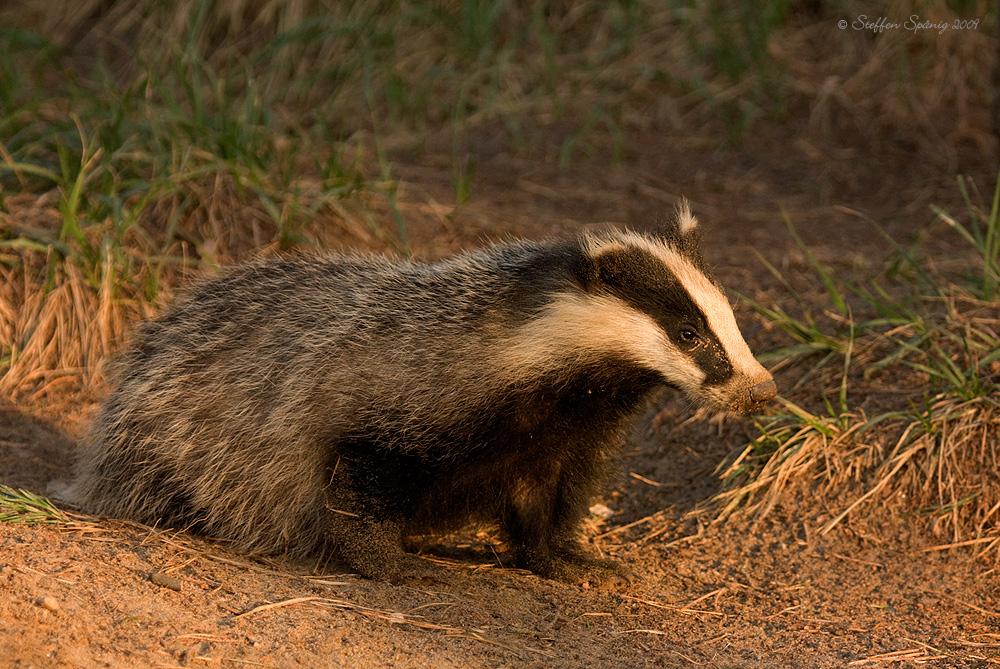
column 942, row 466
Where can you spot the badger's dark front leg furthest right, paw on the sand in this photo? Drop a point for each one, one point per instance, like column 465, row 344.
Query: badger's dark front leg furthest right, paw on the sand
column 542, row 523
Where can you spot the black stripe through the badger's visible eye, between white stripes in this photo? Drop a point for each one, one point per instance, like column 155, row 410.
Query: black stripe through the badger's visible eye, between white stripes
column 640, row 279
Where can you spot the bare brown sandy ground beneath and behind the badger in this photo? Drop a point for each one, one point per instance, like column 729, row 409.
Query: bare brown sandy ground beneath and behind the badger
column 746, row 593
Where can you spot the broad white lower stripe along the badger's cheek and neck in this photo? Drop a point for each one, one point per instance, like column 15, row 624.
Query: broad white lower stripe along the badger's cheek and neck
column 575, row 326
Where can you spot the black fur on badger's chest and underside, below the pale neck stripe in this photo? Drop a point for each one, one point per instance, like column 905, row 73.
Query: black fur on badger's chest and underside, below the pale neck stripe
column 557, row 434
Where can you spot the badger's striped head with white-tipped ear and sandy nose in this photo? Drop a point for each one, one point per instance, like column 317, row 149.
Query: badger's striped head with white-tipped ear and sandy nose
column 652, row 298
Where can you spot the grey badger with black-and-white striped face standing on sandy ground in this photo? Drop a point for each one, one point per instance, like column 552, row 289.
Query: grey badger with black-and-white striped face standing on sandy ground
column 338, row 404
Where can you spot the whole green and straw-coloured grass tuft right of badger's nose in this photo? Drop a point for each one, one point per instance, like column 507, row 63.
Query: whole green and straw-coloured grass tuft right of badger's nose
column 933, row 334
